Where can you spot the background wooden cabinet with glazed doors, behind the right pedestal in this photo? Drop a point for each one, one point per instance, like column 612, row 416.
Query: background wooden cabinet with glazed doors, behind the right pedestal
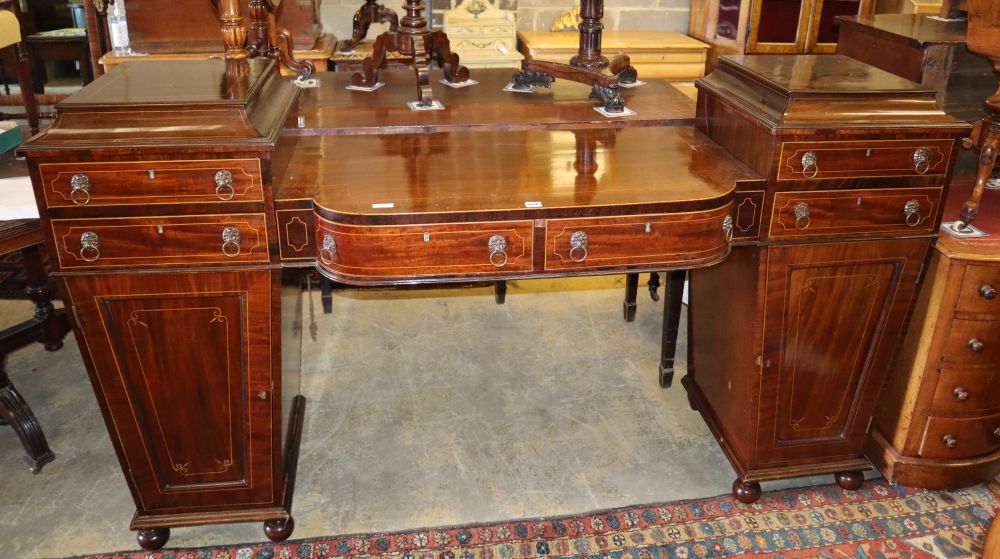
column 770, row 26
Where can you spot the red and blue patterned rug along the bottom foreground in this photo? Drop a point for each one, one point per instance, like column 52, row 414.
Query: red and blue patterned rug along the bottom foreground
column 879, row 521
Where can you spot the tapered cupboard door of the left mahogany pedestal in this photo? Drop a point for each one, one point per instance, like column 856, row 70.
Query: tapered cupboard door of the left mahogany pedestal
column 193, row 424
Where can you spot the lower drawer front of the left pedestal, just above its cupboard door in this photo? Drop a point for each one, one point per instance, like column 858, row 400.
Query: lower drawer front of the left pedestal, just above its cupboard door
column 160, row 241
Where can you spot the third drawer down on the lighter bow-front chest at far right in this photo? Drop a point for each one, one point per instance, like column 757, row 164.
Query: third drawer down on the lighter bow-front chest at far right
column 965, row 392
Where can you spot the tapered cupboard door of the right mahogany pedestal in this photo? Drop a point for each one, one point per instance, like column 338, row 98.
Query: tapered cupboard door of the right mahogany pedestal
column 832, row 316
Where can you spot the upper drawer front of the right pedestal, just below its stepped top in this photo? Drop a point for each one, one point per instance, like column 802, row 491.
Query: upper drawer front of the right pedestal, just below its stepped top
column 861, row 159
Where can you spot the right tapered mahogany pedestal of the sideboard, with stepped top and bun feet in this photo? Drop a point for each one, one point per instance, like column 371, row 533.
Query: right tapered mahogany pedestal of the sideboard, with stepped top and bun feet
column 791, row 337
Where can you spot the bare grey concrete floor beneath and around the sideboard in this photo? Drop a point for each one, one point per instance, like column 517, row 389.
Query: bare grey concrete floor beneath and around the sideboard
column 425, row 408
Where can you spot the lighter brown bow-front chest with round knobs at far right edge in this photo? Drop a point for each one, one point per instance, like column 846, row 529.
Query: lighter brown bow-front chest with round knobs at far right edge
column 938, row 424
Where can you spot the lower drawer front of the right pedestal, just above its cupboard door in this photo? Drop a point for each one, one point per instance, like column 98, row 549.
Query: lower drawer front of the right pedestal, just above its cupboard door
column 843, row 213
